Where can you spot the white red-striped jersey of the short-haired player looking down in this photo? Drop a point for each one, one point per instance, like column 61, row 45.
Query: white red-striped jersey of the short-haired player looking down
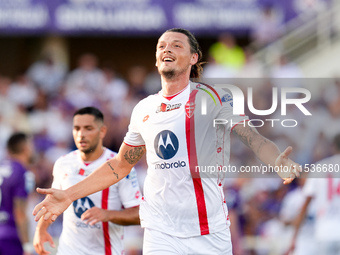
column 103, row 237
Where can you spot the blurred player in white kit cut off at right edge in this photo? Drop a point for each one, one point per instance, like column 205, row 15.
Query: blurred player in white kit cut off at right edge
column 324, row 189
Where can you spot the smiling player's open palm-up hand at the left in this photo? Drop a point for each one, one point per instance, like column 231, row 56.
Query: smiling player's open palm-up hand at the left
column 54, row 204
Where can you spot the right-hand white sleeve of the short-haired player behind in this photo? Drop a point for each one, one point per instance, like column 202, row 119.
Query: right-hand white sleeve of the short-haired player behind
column 129, row 191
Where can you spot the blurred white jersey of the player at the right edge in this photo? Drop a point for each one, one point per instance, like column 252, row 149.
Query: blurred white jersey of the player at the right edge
column 326, row 194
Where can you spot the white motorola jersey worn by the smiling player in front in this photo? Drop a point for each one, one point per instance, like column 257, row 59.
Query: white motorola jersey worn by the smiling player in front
column 178, row 139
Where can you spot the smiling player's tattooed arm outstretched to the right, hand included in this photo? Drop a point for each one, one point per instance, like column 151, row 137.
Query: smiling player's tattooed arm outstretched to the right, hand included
column 268, row 152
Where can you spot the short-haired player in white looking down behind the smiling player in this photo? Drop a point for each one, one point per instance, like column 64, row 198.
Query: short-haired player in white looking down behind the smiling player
column 92, row 224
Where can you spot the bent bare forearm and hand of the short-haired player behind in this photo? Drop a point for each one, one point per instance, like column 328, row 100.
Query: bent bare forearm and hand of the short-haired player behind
column 125, row 217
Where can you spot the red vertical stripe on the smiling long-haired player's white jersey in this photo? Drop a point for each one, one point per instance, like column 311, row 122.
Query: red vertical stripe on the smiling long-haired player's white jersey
column 191, row 147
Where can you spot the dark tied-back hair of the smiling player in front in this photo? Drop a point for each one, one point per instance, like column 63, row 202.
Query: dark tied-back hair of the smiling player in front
column 197, row 69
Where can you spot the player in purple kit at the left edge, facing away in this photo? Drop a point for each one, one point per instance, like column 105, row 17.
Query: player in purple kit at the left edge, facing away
column 15, row 181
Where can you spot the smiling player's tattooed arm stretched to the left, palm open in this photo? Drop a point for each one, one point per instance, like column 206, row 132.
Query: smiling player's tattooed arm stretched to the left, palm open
column 109, row 173
